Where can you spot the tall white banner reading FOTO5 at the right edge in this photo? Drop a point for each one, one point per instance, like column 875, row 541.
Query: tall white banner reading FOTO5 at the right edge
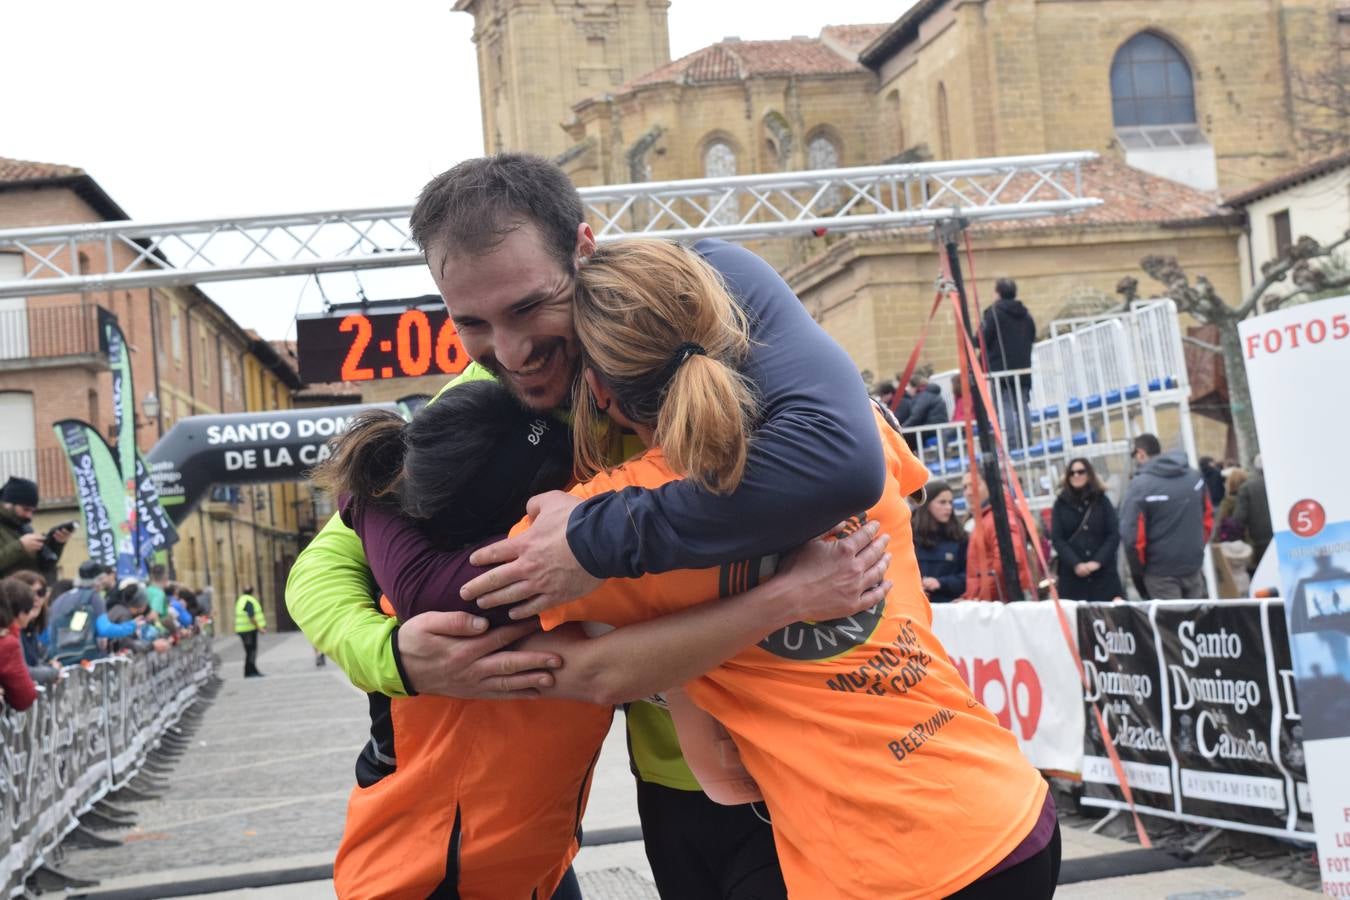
column 1298, row 361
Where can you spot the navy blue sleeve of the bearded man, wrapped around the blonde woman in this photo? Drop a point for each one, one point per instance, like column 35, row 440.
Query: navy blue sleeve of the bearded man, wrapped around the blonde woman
column 815, row 459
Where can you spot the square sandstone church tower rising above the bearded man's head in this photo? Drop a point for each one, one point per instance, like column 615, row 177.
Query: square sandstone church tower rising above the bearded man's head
column 539, row 57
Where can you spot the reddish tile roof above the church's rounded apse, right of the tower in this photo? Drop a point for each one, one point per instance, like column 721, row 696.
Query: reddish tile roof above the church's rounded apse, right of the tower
column 734, row 60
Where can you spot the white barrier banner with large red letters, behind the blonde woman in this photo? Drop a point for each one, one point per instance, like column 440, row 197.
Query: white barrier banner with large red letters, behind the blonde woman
column 1017, row 663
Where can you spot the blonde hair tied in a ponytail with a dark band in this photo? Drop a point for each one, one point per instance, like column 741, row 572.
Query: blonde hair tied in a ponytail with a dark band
column 639, row 307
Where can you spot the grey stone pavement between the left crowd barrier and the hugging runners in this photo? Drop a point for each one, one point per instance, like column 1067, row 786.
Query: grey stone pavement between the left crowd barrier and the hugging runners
column 264, row 785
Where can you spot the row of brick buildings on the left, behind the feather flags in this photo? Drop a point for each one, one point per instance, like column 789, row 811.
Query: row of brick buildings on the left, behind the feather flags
column 188, row 358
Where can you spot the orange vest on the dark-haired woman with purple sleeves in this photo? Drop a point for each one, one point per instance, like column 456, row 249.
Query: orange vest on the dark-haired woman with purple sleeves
column 487, row 797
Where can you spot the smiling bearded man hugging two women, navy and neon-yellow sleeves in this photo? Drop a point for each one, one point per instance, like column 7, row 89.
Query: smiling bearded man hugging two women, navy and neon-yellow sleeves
column 504, row 237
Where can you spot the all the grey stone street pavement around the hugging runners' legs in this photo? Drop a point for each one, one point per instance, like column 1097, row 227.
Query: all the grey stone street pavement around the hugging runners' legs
column 265, row 785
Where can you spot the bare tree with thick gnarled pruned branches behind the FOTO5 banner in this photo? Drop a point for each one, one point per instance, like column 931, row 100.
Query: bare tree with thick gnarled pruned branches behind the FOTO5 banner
column 1312, row 269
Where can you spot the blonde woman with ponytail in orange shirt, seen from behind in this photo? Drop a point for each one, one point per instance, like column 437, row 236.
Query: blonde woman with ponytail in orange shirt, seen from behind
column 882, row 774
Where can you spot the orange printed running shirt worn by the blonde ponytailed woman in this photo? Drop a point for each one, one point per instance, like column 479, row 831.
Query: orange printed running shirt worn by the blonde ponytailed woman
column 885, row 778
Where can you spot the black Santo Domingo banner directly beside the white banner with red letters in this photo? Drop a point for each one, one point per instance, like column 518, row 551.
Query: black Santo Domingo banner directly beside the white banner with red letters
column 1121, row 660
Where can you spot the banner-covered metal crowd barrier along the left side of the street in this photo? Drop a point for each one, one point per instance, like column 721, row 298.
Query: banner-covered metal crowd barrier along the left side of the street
column 86, row 737
